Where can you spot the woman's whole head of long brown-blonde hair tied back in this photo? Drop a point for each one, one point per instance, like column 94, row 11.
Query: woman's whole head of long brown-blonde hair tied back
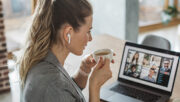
column 49, row 17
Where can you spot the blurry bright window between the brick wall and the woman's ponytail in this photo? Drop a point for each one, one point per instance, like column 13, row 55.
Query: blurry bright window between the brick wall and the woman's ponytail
column 16, row 14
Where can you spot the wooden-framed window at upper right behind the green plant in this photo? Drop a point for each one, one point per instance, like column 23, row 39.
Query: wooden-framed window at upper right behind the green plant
column 151, row 14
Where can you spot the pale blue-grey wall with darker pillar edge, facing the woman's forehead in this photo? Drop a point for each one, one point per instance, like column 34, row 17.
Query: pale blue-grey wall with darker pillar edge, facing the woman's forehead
column 118, row 18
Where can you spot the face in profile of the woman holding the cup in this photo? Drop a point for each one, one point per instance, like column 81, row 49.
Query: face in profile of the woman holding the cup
column 80, row 38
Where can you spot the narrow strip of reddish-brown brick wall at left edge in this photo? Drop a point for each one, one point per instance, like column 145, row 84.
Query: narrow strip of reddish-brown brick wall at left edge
column 4, row 79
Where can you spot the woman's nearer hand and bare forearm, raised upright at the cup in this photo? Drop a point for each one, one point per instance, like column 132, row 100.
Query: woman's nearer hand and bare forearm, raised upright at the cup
column 100, row 75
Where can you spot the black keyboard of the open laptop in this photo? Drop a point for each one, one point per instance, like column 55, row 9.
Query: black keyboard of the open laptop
column 138, row 94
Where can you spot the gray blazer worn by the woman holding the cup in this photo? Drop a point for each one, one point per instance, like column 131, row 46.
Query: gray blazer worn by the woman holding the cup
column 48, row 81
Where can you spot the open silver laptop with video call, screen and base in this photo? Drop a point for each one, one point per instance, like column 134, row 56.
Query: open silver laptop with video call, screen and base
column 146, row 74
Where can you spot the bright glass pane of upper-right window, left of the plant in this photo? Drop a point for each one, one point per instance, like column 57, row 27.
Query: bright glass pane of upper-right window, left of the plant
column 150, row 12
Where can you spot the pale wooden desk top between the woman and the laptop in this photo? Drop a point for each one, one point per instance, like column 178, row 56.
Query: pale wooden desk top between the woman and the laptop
column 106, row 41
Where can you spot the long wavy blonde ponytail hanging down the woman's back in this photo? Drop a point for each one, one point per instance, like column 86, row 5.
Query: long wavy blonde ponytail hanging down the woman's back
column 38, row 38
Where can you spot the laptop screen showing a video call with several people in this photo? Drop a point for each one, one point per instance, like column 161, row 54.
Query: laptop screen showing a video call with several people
column 149, row 66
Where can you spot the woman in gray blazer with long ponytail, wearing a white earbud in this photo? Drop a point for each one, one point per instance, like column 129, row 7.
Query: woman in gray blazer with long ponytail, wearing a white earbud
column 60, row 27
